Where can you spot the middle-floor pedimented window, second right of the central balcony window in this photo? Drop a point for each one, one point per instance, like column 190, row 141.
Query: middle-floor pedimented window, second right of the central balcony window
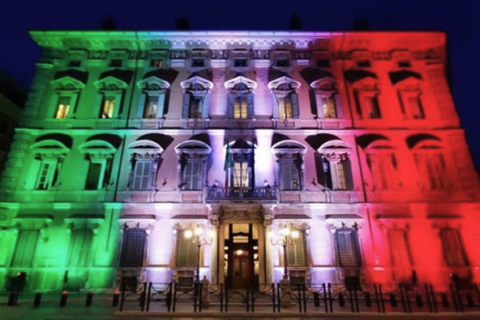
column 336, row 167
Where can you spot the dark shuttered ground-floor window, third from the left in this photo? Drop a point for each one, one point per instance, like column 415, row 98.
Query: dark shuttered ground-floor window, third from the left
column 133, row 247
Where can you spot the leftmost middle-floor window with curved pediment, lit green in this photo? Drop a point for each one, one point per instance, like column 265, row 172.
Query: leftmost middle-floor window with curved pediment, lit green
column 50, row 155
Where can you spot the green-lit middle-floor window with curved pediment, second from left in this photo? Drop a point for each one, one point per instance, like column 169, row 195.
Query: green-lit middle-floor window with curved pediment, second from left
column 100, row 160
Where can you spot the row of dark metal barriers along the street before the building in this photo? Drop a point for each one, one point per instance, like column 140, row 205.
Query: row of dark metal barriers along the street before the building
column 321, row 298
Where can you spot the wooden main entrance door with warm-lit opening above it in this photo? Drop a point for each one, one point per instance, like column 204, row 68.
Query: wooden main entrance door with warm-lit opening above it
column 241, row 248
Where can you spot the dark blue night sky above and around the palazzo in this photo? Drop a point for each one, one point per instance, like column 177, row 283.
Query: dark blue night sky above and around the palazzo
column 460, row 19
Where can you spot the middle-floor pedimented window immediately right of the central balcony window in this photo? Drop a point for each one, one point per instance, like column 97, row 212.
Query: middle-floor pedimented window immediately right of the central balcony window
column 289, row 156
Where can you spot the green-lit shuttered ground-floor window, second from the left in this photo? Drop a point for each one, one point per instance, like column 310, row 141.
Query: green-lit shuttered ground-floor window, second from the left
column 80, row 248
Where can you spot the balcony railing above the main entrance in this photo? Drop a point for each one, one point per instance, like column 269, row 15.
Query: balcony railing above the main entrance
column 241, row 193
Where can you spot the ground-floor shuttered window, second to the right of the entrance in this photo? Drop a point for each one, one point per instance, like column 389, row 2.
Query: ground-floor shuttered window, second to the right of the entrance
column 347, row 248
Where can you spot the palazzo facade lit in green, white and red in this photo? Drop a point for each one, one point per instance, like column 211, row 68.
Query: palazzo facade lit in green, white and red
column 248, row 156
